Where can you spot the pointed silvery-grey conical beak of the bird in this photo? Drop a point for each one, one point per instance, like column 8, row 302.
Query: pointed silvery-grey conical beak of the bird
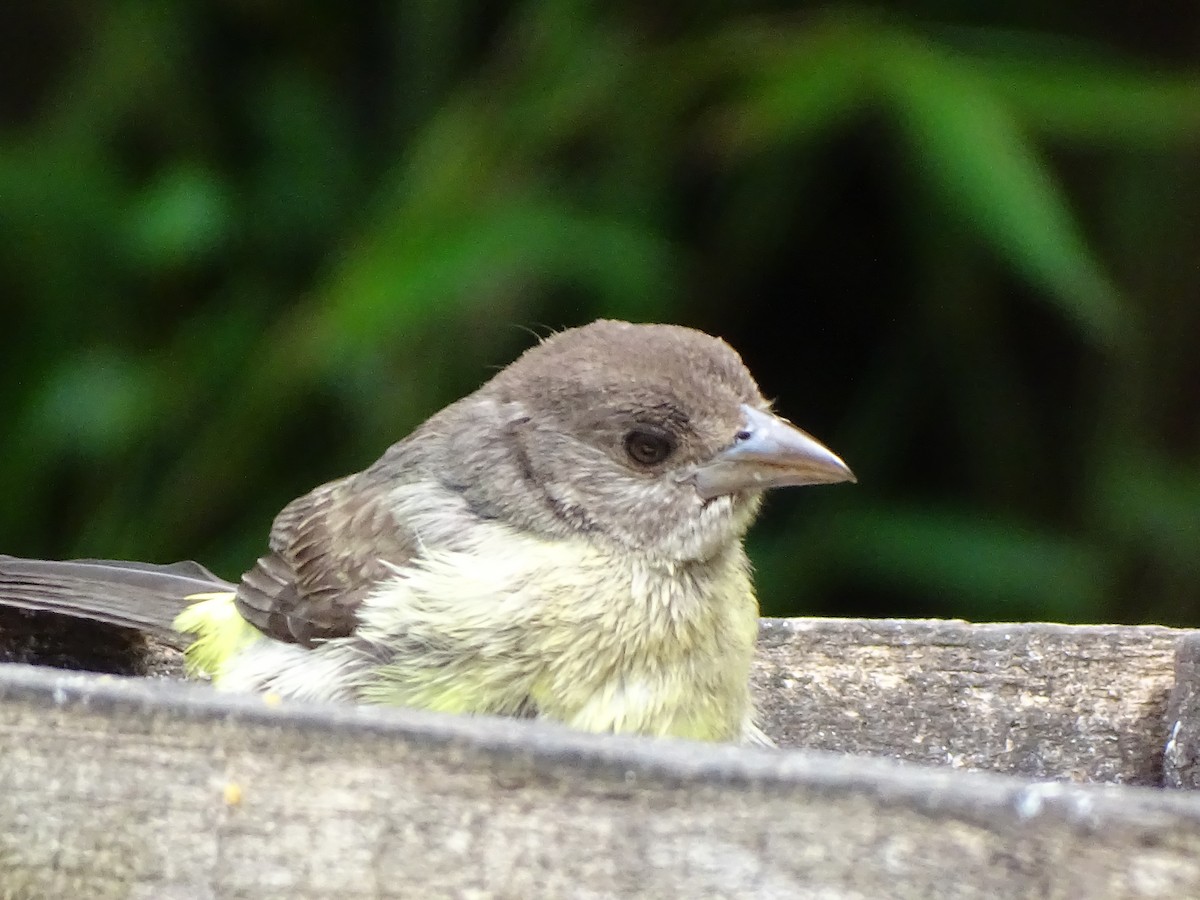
column 769, row 452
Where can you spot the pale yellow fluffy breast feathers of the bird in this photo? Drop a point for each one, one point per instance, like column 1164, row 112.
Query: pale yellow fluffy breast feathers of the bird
column 603, row 641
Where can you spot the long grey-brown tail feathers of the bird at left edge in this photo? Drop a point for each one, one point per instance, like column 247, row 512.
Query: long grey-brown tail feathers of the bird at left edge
column 140, row 596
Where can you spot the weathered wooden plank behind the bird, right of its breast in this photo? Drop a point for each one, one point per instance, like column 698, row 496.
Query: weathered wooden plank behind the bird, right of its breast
column 1085, row 704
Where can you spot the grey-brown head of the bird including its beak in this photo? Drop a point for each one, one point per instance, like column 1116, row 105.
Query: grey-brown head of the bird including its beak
column 655, row 439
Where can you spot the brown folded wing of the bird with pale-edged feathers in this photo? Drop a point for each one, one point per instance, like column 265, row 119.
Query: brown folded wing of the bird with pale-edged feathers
column 328, row 550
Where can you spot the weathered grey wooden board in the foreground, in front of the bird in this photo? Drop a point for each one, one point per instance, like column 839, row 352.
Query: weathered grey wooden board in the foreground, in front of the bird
column 115, row 788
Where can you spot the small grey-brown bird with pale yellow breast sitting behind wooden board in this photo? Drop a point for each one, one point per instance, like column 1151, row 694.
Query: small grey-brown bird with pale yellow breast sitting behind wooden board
column 563, row 544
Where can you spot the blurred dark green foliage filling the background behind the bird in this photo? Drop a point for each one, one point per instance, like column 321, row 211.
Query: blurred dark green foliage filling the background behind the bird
column 249, row 244
